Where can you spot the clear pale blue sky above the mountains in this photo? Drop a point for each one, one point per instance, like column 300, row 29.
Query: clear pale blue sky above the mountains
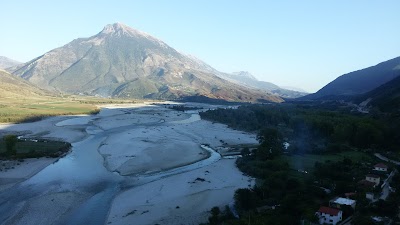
column 304, row 44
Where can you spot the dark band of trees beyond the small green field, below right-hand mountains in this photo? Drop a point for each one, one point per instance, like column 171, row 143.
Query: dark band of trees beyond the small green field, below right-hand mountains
column 310, row 129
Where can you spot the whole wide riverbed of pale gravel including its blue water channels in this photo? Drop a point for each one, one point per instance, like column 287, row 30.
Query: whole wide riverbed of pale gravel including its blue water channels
column 130, row 164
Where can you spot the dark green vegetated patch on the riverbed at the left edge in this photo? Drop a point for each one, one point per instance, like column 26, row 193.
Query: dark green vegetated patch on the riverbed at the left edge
column 13, row 148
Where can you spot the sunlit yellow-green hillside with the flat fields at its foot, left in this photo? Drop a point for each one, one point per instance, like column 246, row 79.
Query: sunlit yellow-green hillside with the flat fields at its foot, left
column 21, row 101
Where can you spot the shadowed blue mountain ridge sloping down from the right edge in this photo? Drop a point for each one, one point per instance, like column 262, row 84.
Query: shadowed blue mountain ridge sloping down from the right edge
column 359, row 82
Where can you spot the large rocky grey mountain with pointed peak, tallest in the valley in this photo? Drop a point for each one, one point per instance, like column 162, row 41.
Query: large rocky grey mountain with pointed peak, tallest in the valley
column 123, row 62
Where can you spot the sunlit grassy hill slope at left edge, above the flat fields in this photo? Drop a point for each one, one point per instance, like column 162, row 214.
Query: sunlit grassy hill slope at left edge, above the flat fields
column 12, row 87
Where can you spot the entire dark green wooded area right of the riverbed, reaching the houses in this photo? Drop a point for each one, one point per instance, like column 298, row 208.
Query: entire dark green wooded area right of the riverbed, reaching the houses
column 329, row 153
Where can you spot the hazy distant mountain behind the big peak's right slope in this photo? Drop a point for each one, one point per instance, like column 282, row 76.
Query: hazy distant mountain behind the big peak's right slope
column 247, row 79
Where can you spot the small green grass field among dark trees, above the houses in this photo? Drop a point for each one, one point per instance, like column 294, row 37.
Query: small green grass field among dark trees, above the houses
column 306, row 162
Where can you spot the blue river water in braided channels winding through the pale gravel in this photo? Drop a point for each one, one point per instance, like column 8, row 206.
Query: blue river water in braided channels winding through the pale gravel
column 82, row 170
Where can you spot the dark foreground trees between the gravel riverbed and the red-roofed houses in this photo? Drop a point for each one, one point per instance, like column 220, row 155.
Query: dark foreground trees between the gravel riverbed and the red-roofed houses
column 278, row 197
